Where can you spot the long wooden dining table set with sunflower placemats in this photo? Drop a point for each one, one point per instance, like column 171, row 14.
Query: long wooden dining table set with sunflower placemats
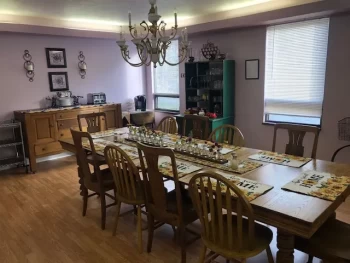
column 293, row 214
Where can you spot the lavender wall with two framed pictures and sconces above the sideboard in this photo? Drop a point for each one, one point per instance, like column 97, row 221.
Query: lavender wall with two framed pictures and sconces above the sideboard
column 107, row 72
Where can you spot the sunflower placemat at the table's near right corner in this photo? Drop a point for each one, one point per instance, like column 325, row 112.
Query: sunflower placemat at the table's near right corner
column 322, row 185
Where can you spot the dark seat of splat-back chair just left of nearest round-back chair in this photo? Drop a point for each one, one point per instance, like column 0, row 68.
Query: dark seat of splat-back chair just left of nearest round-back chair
column 188, row 211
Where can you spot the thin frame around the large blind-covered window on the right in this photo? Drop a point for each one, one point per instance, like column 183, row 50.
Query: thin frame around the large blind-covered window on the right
column 266, row 118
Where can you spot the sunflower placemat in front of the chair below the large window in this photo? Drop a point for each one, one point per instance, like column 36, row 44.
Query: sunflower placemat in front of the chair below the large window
column 280, row 158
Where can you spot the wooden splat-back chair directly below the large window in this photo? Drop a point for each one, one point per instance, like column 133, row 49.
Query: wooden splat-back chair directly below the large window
column 296, row 137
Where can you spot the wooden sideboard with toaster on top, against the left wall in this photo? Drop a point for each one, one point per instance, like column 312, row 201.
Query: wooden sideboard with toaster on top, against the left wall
column 43, row 128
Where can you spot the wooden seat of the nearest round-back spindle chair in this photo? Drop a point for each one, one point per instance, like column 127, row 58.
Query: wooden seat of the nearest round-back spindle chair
column 263, row 237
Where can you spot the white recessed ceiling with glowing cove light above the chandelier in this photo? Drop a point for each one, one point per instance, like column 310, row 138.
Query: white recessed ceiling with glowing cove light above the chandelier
column 108, row 15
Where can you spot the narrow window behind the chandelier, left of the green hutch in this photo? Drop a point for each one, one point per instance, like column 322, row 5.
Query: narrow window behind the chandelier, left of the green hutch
column 166, row 82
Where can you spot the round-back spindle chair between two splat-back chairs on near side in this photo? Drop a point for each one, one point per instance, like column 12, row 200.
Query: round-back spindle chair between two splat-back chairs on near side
column 129, row 187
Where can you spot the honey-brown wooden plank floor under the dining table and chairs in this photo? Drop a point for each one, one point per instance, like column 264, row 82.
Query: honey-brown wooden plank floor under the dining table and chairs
column 41, row 221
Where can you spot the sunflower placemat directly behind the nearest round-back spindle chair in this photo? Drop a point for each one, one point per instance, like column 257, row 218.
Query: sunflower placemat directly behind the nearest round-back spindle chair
column 251, row 189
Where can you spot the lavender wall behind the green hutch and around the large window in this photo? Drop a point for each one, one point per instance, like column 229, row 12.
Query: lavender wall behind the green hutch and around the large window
column 250, row 44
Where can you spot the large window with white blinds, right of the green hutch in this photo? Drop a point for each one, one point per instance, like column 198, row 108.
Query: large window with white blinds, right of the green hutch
column 295, row 71
